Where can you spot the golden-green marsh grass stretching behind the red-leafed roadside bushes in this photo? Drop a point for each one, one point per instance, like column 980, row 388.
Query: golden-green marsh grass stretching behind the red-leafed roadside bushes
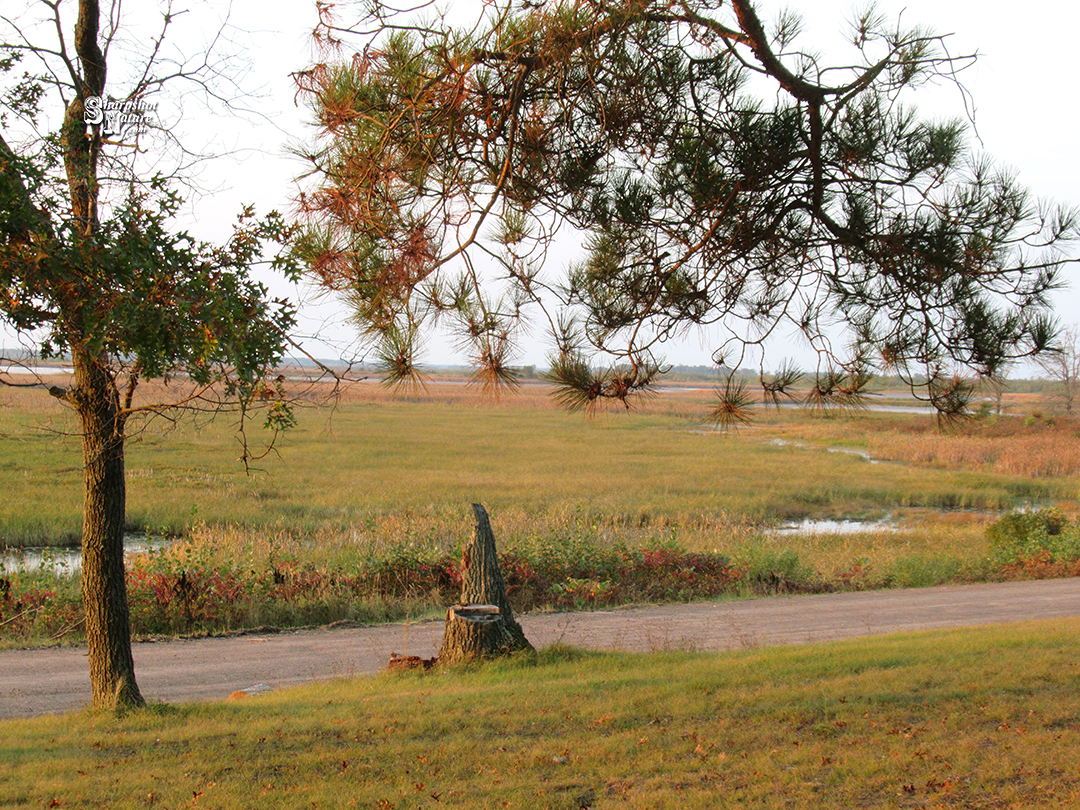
column 374, row 474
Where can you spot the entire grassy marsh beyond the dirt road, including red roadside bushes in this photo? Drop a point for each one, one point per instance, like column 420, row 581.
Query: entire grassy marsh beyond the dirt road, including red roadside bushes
column 361, row 511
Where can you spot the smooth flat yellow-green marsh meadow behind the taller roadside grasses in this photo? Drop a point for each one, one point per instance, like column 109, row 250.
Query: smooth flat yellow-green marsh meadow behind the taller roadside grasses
column 373, row 460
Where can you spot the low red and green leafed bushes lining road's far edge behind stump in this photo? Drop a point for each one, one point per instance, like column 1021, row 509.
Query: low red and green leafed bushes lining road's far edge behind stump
column 178, row 595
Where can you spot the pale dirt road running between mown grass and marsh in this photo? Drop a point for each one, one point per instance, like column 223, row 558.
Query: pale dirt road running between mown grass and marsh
column 39, row 682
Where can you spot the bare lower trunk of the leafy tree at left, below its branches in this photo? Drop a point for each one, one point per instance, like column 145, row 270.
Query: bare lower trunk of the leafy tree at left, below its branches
column 104, row 587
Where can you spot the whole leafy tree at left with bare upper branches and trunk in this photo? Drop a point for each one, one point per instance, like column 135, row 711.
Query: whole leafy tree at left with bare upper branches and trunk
column 89, row 269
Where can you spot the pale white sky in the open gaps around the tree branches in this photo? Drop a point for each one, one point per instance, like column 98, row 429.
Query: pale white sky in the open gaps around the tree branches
column 1023, row 89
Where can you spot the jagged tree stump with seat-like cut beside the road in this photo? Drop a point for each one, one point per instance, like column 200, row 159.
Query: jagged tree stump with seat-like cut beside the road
column 483, row 625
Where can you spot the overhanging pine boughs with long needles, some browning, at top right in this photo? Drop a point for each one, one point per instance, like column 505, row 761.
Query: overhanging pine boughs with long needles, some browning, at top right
column 718, row 175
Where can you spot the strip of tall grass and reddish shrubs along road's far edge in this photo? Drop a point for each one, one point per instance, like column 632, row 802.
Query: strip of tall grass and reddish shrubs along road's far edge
column 388, row 568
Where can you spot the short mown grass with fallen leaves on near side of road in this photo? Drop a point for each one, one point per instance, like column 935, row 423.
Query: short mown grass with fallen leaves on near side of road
column 970, row 719
